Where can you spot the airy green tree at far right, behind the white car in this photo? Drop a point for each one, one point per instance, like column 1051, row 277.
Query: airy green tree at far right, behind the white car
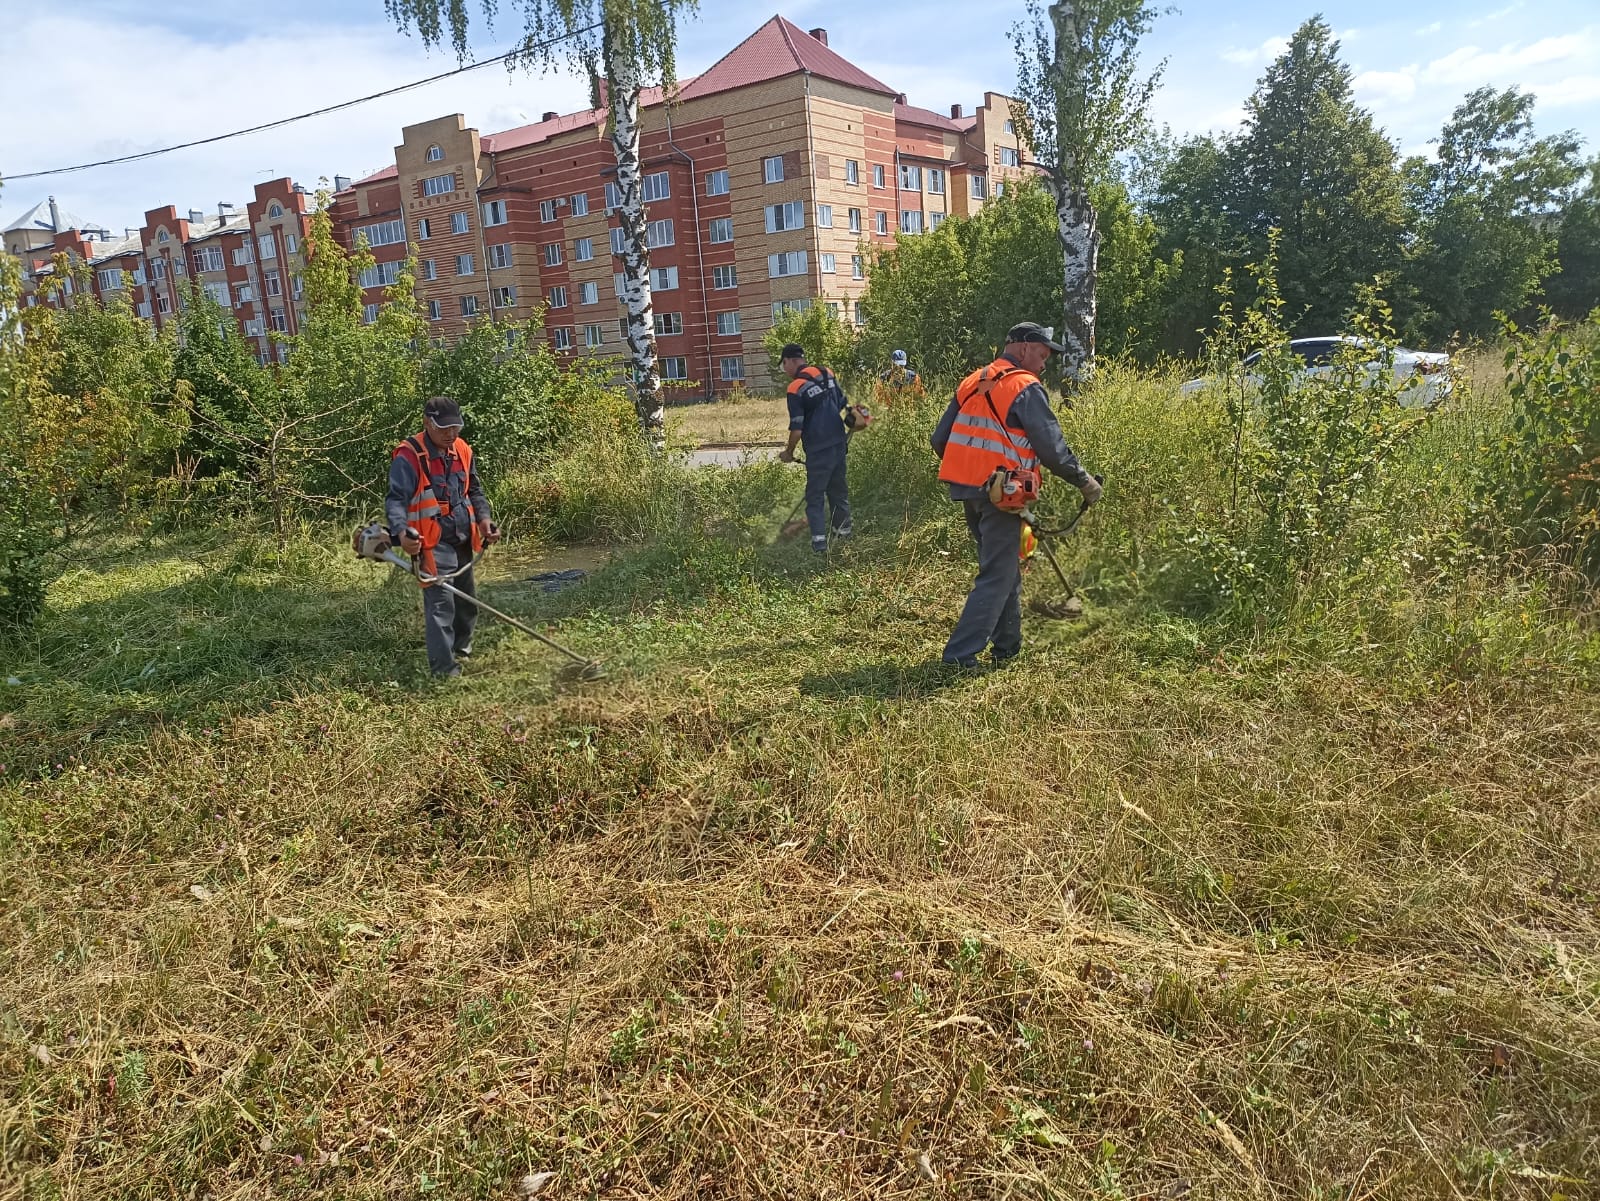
column 1487, row 213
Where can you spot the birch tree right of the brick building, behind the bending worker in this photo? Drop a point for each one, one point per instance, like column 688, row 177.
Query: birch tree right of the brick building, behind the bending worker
column 1081, row 102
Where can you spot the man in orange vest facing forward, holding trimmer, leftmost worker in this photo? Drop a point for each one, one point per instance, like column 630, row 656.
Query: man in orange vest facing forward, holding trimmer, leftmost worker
column 439, row 516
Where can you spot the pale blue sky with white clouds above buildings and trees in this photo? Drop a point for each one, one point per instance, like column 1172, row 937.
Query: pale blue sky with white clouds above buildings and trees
column 108, row 78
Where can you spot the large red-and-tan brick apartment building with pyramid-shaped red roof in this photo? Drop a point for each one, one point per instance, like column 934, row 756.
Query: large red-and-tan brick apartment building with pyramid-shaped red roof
column 766, row 182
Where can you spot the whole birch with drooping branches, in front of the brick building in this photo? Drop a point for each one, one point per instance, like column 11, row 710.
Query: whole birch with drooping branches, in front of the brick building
column 622, row 46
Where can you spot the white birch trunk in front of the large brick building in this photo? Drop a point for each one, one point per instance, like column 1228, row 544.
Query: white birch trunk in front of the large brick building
column 623, row 89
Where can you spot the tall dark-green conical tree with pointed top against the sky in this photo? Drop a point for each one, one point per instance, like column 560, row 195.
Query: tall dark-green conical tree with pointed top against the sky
column 1311, row 162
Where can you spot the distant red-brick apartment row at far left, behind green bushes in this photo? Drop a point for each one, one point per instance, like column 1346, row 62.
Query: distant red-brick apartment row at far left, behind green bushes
column 249, row 258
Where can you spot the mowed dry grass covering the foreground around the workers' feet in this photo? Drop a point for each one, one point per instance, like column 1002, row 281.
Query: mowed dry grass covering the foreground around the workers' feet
column 778, row 911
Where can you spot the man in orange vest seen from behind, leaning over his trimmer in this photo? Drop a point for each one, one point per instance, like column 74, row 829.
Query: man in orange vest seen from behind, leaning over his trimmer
column 1001, row 420
